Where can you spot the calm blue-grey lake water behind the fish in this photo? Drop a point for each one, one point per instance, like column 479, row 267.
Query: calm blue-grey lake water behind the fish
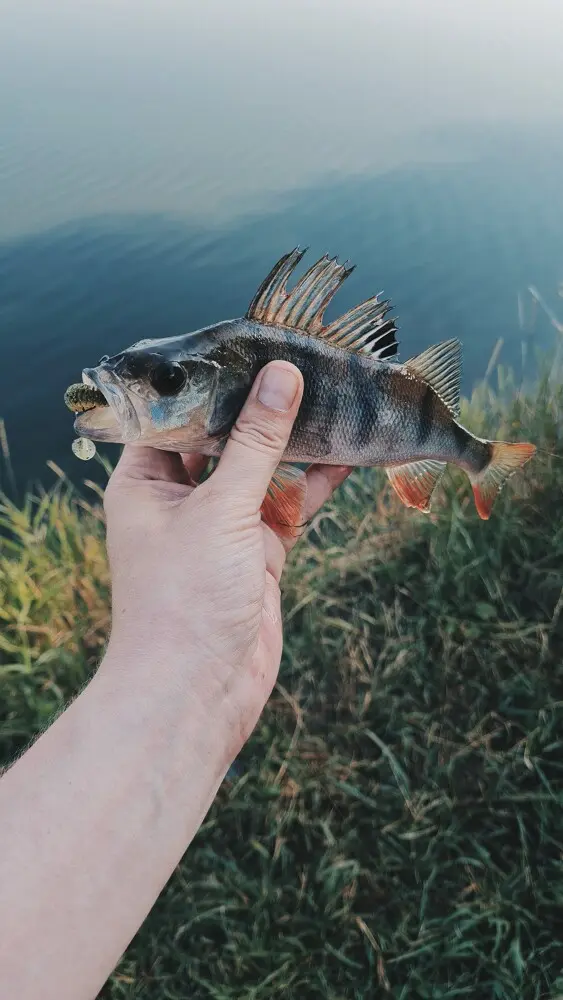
column 156, row 159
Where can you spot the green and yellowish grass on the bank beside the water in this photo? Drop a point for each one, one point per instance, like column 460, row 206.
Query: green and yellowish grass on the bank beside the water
column 397, row 828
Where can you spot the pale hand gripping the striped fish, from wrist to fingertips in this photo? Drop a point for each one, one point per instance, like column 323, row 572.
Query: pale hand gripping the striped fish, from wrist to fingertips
column 196, row 571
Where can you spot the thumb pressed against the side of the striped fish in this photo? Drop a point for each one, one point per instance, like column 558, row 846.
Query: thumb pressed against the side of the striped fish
column 258, row 440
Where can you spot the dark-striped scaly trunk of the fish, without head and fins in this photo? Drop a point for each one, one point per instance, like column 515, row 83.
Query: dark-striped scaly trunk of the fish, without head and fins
column 356, row 410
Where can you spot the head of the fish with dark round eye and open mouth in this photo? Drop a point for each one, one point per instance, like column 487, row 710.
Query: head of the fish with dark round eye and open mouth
column 156, row 393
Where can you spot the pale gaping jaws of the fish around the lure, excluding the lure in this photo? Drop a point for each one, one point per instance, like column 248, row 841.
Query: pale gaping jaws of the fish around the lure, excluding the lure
column 118, row 421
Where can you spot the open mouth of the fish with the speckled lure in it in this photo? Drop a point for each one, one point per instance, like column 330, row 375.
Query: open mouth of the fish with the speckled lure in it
column 105, row 412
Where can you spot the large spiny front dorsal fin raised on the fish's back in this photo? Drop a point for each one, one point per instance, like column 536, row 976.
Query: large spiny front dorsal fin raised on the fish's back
column 363, row 328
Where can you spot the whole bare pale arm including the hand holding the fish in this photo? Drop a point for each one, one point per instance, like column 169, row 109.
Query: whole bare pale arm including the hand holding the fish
column 97, row 813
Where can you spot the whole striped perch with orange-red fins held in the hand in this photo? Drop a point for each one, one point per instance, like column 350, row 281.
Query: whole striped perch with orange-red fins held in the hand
column 360, row 407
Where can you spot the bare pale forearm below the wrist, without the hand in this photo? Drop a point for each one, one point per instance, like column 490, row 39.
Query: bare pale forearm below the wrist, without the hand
column 95, row 816
